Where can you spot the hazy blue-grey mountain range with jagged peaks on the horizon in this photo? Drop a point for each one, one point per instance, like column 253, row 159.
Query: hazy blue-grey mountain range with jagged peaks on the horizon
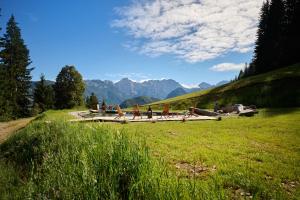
column 116, row 93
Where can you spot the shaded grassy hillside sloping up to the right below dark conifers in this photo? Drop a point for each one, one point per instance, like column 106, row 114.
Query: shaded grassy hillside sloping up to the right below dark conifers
column 279, row 88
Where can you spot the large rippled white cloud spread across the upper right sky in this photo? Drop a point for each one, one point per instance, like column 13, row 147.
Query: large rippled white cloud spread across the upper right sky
column 194, row 30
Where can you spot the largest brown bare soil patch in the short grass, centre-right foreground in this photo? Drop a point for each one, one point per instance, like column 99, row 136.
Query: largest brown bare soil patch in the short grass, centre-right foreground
column 194, row 170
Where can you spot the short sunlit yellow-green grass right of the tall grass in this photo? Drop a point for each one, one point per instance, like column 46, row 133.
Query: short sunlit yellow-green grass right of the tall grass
column 257, row 154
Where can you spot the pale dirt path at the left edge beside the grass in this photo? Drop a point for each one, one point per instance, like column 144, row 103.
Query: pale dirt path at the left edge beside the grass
column 8, row 128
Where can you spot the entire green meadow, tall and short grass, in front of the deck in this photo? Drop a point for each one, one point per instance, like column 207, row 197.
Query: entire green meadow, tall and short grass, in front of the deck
column 236, row 158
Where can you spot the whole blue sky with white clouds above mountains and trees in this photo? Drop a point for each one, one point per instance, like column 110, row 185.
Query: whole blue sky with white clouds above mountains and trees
column 136, row 39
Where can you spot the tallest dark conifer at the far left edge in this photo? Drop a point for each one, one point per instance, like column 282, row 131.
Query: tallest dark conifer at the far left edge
column 14, row 66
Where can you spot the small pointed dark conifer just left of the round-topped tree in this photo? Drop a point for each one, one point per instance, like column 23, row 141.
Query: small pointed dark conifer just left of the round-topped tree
column 43, row 95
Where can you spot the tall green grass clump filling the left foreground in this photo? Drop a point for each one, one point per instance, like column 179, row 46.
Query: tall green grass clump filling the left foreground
column 60, row 160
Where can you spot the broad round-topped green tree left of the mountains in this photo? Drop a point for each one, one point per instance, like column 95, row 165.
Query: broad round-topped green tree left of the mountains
column 69, row 88
